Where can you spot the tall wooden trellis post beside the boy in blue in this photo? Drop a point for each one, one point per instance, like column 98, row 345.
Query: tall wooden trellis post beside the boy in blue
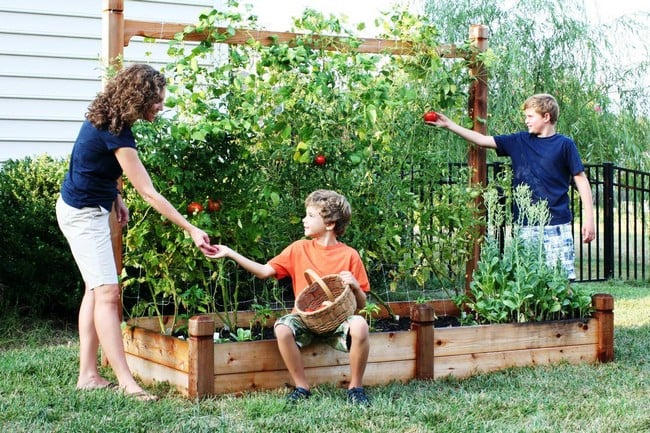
column 477, row 110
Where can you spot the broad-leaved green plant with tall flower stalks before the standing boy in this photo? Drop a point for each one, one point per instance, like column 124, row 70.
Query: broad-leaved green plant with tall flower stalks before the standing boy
column 517, row 285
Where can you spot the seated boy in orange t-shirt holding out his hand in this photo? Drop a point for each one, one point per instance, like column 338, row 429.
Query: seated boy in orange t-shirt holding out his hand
column 327, row 216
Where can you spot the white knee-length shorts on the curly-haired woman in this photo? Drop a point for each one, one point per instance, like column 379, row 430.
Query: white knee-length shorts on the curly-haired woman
column 89, row 235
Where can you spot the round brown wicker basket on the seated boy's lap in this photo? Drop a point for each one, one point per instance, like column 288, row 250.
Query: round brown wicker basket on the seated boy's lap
column 309, row 302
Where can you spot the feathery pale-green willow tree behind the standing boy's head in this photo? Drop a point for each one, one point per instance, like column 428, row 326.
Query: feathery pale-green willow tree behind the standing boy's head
column 550, row 47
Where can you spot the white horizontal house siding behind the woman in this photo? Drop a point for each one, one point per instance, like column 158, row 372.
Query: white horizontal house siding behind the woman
column 50, row 66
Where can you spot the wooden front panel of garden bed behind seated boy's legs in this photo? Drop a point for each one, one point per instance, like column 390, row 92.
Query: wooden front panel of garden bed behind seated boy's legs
column 257, row 365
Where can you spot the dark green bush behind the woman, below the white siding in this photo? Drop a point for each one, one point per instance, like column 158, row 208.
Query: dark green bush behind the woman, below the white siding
column 37, row 271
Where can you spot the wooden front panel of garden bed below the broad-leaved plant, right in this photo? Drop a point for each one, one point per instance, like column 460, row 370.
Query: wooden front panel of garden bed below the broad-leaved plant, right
column 464, row 351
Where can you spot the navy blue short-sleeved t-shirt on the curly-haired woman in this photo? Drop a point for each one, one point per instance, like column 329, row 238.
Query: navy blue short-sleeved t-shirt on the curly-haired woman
column 91, row 179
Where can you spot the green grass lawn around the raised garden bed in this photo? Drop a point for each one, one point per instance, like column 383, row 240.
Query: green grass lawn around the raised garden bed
column 38, row 368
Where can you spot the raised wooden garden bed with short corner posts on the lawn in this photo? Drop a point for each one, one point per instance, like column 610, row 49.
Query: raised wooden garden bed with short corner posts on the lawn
column 197, row 367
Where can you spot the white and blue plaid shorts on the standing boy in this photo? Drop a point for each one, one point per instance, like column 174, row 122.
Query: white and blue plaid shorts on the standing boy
column 558, row 245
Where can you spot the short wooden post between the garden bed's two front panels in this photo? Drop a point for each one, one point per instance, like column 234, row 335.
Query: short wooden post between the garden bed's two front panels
column 422, row 317
